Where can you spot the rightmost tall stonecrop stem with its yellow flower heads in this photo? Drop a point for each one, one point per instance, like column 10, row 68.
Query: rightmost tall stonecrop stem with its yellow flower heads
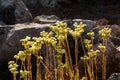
column 105, row 34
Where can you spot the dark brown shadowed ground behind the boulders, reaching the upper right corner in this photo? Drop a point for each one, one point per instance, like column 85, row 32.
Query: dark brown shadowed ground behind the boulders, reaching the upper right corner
column 87, row 9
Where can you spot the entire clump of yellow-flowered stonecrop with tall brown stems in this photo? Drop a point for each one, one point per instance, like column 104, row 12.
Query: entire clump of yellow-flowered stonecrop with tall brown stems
column 55, row 46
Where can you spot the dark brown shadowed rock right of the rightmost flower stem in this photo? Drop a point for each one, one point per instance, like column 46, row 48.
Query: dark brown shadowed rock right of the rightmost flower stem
column 113, row 59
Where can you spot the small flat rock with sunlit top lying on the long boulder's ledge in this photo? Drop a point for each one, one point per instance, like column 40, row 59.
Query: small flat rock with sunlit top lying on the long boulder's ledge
column 45, row 19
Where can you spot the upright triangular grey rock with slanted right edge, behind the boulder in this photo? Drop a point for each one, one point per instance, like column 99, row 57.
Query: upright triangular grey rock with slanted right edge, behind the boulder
column 22, row 14
